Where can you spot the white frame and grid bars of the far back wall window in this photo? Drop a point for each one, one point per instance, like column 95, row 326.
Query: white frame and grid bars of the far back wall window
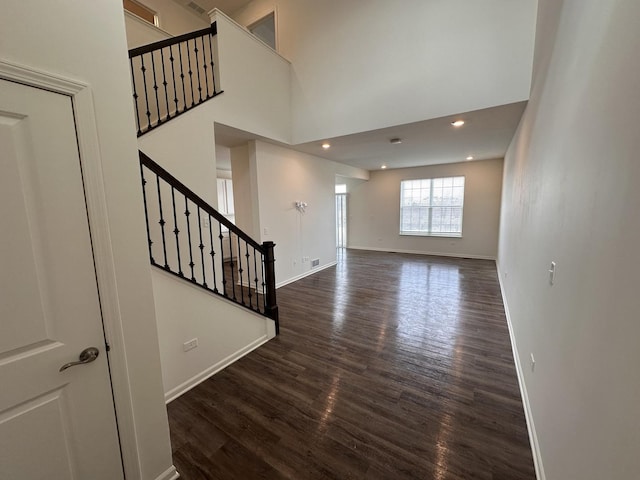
column 430, row 205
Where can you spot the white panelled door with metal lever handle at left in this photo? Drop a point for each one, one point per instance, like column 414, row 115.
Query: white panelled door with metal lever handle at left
column 53, row 425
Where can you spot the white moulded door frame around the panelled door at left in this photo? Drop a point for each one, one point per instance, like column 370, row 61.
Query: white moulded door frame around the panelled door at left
column 95, row 199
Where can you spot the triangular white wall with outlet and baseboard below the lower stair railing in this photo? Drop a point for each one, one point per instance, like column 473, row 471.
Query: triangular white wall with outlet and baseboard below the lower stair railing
column 225, row 332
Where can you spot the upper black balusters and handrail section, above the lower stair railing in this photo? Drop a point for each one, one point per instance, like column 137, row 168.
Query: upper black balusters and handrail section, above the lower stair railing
column 172, row 76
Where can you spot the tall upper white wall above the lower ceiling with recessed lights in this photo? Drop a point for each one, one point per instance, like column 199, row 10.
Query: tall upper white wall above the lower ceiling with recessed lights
column 367, row 64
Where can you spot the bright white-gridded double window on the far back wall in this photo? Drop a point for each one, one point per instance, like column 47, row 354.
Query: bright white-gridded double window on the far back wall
column 432, row 206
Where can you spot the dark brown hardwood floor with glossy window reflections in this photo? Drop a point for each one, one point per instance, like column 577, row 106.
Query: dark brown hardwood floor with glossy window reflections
column 388, row 366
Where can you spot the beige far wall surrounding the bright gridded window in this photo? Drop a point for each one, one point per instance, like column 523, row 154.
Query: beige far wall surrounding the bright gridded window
column 374, row 211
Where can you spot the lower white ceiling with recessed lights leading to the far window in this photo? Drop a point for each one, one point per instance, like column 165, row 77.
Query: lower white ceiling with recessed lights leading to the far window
column 486, row 134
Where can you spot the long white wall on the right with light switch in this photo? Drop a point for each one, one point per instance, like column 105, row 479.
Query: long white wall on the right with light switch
column 570, row 196
